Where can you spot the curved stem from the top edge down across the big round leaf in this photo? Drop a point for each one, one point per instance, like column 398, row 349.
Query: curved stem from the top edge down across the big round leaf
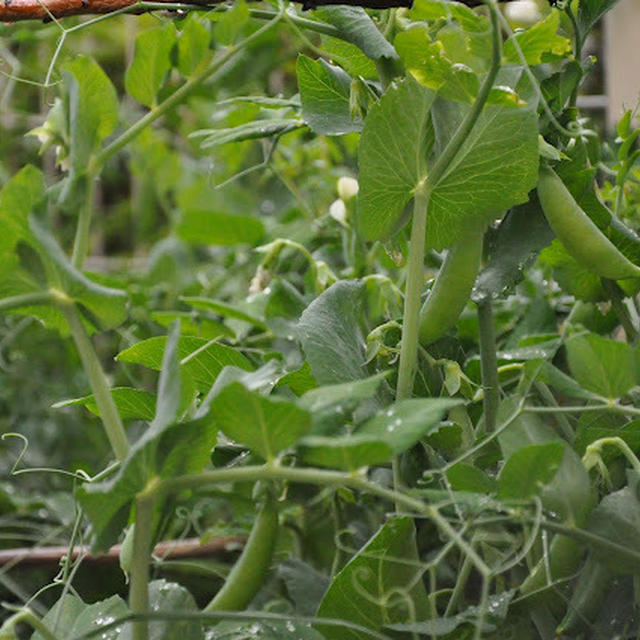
column 468, row 122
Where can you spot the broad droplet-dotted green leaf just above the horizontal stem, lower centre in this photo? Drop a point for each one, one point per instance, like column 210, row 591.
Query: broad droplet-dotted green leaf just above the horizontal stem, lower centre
column 265, row 425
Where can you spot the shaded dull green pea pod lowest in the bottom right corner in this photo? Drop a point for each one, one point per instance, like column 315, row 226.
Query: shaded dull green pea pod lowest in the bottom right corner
column 593, row 582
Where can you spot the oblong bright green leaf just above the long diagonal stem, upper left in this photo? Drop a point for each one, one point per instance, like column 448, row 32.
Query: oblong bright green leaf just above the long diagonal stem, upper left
column 151, row 62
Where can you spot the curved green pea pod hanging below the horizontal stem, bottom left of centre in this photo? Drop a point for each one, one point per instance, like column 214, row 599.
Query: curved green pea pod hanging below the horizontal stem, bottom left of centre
column 251, row 568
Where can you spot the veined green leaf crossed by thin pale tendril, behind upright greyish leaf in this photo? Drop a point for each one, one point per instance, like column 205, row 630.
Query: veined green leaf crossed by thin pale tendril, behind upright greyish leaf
column 202, row 360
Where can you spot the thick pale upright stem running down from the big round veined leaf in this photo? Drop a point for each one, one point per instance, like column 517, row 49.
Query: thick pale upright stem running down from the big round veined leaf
column 414, row 286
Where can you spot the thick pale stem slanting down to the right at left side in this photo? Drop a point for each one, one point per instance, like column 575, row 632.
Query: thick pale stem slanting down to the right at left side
column 97, row 379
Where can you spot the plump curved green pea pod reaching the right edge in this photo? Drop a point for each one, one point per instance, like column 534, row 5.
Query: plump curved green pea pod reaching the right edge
column 578, row 233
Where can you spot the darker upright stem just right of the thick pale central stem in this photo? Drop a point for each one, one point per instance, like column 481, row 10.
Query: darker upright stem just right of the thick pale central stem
column 488, row 364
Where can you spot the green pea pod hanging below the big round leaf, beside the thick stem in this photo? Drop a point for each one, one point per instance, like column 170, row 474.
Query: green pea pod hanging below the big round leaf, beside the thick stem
column 451, row 290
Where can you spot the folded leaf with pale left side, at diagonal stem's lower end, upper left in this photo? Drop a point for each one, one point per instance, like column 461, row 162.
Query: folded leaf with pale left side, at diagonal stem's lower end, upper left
column 92, row 109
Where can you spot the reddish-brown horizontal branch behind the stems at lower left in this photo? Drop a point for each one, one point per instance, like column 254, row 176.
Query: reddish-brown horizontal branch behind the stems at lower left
column 170, row 550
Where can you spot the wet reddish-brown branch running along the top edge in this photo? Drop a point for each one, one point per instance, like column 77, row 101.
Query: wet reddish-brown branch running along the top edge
column 15, row 10
